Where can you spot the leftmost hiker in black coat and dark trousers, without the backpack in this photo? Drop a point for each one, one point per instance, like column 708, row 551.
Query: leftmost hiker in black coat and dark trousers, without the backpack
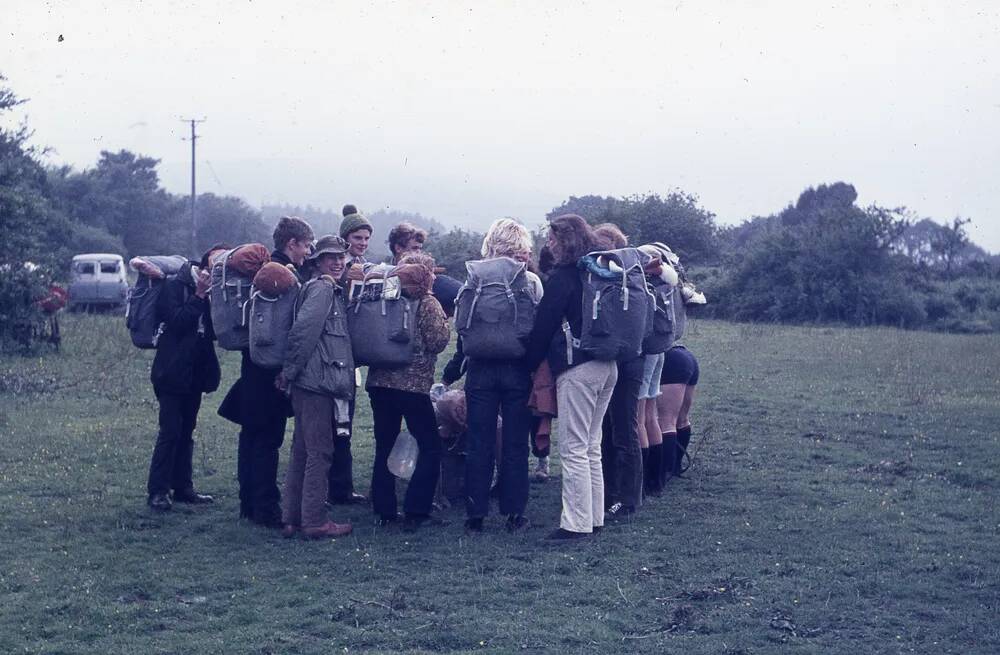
column 185, row 366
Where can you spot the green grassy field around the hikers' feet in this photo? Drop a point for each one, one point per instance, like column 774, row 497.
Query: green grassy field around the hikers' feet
column 843, row 500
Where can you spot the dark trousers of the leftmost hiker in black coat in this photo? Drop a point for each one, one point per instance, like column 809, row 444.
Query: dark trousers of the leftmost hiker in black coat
column 170, row 466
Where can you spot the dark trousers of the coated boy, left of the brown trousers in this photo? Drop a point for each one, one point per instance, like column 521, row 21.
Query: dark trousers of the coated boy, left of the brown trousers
column 257, row 469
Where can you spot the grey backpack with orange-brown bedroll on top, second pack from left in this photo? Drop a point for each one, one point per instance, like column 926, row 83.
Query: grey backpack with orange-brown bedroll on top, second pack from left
column 230, row 295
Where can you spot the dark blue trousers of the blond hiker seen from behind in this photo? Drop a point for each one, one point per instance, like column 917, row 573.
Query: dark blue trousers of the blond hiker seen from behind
column 492, row 390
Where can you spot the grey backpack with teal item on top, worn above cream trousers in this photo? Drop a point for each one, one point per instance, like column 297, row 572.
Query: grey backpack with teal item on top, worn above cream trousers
column 617, row 305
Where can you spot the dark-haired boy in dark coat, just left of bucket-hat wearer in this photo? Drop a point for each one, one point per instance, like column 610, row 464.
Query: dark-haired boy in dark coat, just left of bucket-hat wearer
column 260, row 409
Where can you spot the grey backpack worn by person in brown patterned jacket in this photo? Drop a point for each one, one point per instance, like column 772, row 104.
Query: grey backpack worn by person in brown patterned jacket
column 382, row 322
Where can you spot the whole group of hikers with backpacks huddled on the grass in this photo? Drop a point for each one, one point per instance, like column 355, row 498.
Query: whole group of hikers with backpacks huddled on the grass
column 587, row 331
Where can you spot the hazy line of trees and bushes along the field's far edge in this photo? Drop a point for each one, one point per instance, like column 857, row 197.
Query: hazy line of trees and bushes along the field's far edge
column 821, row 259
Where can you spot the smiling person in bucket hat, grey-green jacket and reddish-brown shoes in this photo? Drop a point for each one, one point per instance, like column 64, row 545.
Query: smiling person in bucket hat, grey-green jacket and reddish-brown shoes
column 319, row 371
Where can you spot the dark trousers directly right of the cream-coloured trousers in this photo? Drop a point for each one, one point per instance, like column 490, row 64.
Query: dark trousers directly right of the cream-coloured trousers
column 620, row 454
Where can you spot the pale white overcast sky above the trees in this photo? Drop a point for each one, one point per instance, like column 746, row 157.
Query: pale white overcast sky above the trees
column 467, row 112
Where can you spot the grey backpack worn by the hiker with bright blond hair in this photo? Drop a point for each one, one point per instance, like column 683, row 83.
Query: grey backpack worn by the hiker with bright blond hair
column 494, row 310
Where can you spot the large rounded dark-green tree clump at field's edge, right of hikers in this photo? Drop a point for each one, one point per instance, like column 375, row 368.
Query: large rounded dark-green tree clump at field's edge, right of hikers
column 823, row 259
